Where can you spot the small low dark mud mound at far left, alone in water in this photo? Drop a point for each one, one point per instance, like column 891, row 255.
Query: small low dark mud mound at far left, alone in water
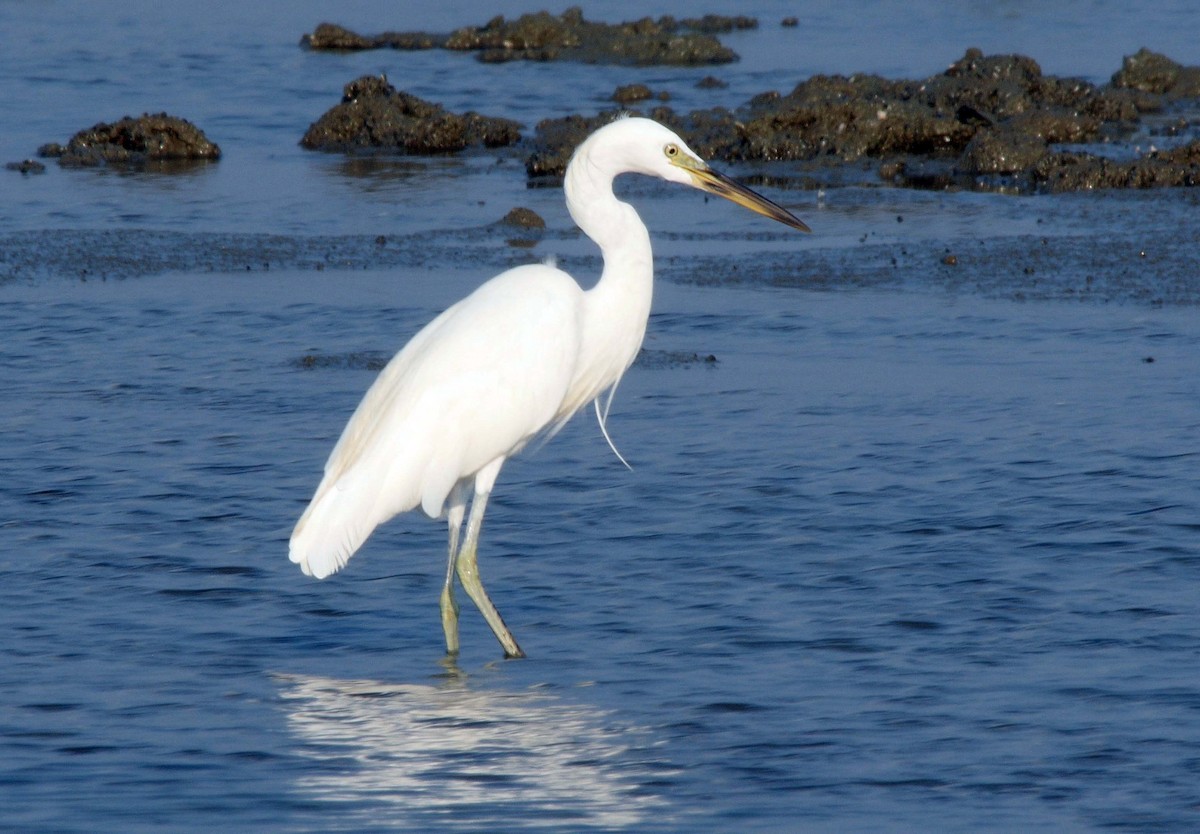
column 136, row 142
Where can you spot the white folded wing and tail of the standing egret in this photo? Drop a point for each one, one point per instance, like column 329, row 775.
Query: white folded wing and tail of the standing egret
column 475, row 386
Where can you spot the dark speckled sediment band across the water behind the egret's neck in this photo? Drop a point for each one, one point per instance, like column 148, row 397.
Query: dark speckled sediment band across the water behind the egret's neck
column 1129, row 251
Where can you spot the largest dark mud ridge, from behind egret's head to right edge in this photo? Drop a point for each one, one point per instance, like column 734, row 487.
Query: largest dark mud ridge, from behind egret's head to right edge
column 987, row 123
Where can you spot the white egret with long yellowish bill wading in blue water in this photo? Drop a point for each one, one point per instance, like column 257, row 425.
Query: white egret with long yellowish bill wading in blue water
column 511, row 363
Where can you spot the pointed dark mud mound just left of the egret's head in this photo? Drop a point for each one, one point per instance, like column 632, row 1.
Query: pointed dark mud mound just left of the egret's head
column 374, row 115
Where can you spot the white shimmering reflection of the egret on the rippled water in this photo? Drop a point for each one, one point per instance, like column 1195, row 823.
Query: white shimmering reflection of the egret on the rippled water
column 419, row 755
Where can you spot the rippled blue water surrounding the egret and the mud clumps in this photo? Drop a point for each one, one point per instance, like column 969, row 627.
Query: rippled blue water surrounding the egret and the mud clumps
column 920, row 551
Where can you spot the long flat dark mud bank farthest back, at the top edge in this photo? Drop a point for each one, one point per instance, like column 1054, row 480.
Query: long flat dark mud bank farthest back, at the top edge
column 548, row 38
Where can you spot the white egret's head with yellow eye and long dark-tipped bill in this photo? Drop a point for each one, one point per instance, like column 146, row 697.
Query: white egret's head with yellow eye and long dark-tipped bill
column 652, row 149
